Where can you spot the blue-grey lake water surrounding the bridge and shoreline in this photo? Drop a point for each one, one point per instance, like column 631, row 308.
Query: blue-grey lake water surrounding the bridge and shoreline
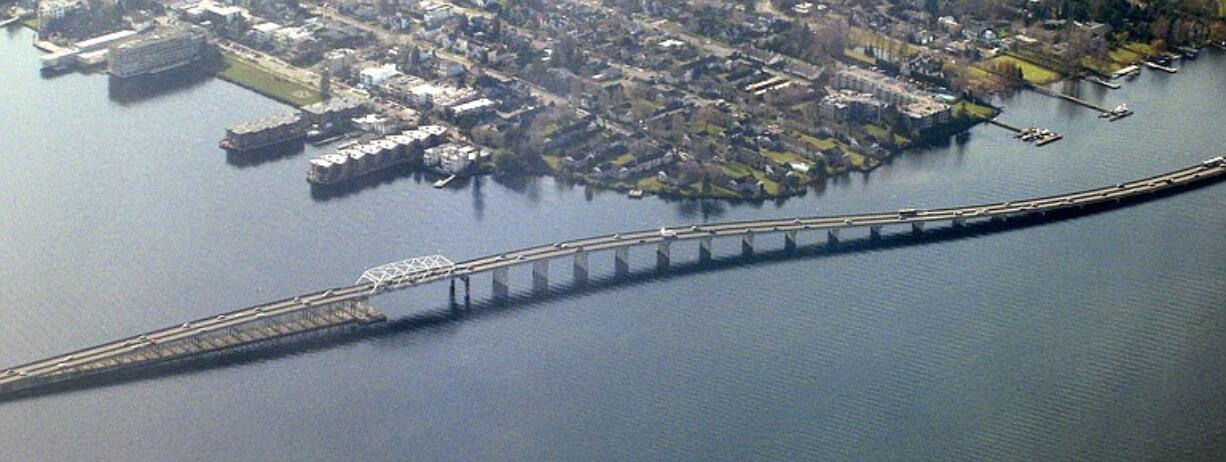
column 1097, row 339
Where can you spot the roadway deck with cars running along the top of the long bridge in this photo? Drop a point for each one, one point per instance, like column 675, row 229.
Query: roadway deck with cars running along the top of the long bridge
column 89, row 358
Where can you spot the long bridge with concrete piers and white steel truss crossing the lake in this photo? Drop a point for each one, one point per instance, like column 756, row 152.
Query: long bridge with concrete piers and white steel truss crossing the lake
column 348, row 308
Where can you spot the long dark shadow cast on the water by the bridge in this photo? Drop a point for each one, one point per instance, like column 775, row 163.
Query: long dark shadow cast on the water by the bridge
column 455, row 314
